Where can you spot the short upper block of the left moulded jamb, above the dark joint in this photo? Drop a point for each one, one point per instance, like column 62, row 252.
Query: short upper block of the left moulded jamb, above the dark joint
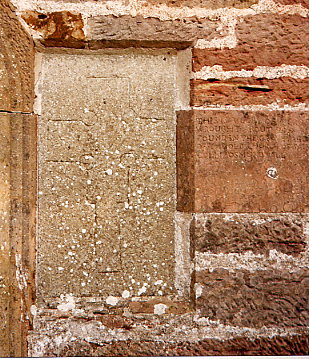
column 16, row 63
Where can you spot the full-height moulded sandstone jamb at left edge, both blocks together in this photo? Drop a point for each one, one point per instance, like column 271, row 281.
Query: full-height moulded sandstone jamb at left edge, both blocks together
column 17, row 183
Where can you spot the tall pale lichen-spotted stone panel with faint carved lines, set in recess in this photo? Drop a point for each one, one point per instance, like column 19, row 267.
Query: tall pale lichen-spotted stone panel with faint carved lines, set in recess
column 107, row 175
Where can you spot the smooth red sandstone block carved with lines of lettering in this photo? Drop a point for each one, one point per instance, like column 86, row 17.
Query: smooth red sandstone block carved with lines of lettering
column 253, row 161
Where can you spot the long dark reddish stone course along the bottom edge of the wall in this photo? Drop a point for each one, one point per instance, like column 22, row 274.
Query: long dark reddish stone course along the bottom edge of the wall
column 275, row 345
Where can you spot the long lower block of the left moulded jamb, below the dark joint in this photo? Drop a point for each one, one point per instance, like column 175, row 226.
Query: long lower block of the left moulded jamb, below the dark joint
column 17, row 214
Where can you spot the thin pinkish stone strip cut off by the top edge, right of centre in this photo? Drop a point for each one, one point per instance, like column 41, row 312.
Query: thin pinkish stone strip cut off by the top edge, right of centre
column 212, row 4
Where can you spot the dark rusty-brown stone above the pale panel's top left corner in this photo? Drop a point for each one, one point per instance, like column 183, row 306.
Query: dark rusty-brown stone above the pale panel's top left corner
column 61, row 28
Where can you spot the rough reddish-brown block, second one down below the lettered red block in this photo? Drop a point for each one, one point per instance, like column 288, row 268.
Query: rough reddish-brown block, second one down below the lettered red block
column 255, row 299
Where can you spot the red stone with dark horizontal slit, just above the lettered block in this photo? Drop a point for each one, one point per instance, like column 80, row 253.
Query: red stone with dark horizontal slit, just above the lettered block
column 250, row 91
